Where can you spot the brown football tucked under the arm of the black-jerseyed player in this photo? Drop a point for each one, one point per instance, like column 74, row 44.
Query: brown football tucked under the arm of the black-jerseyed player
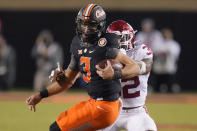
column 115, row 65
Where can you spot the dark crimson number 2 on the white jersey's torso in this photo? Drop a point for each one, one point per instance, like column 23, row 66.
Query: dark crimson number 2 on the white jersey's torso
column 132, row 83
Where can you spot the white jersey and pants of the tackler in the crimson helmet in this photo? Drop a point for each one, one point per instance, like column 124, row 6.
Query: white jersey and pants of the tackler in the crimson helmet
column 133, row 94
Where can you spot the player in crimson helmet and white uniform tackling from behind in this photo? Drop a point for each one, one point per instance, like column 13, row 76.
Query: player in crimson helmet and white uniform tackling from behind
column 134, row 115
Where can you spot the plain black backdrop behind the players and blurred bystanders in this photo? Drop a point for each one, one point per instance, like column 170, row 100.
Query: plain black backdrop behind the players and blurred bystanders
column 22, row 27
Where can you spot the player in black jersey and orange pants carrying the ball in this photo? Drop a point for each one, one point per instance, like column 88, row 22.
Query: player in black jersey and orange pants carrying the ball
column 90, row 46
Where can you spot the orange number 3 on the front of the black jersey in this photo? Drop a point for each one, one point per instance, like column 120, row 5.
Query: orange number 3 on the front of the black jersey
column 86, row 68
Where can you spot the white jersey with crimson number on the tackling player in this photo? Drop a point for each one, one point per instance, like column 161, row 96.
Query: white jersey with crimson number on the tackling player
column 134, row 90
